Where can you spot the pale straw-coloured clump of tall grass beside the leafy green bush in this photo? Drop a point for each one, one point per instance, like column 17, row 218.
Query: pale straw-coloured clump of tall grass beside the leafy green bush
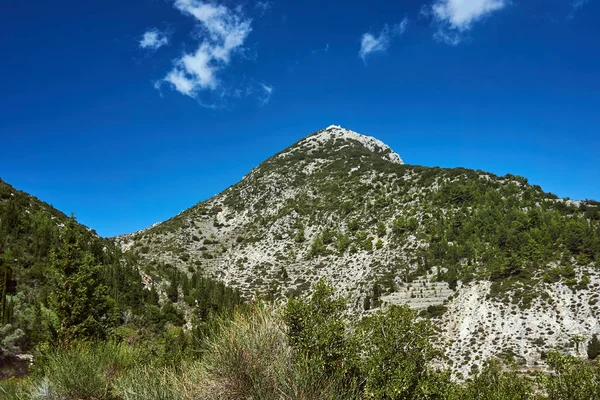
column 251, row 359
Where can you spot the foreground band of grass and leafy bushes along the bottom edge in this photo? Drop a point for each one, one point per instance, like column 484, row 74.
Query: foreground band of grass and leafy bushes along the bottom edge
column 311, row 350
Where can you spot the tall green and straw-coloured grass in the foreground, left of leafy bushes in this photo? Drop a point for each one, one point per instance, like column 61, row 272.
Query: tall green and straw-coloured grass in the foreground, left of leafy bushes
column 246, row 356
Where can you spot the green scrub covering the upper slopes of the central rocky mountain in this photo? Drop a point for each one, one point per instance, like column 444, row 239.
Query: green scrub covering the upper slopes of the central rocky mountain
column 460, row 224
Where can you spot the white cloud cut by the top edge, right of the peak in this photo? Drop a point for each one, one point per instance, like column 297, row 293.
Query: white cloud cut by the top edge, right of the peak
column 453, row 18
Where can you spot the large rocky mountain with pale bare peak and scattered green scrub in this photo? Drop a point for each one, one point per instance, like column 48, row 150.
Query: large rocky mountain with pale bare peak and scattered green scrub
column 506, row 268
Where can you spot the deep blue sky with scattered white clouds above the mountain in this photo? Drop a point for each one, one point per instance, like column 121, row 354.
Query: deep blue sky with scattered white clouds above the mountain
column 128, row 112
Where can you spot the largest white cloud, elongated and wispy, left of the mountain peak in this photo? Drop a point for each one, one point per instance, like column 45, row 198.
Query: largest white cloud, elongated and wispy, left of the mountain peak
column 223, row 32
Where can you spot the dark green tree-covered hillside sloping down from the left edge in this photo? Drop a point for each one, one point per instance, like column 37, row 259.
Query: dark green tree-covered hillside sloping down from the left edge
column 61, row 284
